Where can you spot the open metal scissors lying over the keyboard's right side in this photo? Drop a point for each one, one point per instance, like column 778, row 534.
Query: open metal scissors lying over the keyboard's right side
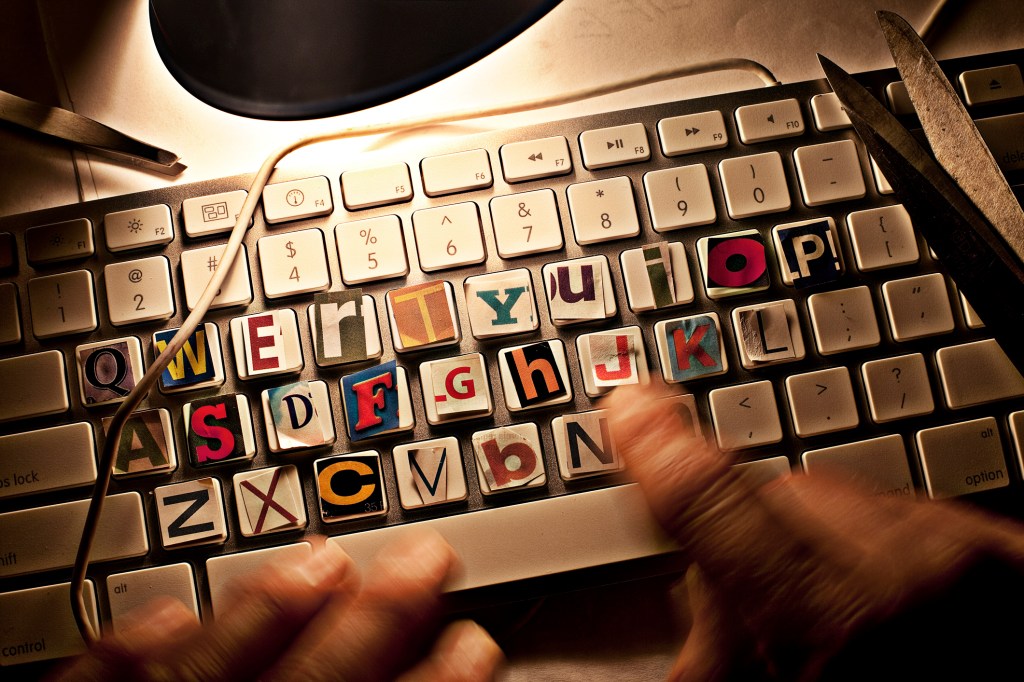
column 957, row 196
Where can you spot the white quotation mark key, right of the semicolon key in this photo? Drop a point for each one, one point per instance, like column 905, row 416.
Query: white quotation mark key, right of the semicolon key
column 918, row 307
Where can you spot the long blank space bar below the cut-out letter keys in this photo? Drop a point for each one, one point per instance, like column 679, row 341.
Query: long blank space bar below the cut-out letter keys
column 533, row 539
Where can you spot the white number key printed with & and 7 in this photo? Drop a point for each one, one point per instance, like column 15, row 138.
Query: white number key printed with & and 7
column 527, row 224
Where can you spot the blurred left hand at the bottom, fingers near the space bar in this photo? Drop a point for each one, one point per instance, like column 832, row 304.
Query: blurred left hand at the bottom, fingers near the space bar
column 312, row 622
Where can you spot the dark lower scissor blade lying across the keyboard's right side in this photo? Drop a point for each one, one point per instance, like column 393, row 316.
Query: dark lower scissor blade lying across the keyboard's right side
column 988, row 273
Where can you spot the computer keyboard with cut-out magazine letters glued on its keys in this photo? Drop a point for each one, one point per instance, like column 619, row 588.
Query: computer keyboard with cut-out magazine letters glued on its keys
column 422, row 336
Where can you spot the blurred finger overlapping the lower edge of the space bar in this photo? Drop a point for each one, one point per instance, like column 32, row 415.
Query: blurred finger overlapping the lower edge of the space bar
column 371, row 636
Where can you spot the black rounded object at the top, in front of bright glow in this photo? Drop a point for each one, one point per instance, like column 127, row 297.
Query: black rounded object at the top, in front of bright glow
column 313, row 59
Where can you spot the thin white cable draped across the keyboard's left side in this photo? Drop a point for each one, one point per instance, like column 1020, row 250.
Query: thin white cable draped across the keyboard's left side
column 142, row 390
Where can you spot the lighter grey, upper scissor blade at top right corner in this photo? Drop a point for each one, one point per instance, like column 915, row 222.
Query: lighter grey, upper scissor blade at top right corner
column 955, row 140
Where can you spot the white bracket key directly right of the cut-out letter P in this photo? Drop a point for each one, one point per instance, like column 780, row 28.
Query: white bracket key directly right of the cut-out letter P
column 883, row 238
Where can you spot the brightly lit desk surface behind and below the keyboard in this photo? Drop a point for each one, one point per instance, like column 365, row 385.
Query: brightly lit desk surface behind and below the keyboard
column 97, row 57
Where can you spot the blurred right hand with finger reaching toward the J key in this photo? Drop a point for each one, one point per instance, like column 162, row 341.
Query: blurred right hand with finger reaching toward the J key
column 788, row 574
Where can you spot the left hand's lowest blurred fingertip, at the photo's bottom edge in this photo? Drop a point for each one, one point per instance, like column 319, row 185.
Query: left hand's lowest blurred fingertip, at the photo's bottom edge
column 464, row 653
